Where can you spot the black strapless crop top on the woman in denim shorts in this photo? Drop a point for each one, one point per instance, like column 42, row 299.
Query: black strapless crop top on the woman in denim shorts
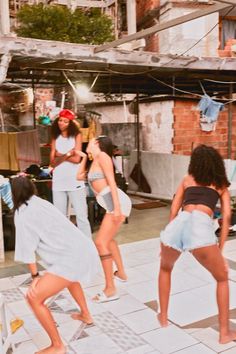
column 201, row 195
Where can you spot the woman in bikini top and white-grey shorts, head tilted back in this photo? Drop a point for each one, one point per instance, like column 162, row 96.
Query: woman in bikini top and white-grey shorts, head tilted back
column 117, row 204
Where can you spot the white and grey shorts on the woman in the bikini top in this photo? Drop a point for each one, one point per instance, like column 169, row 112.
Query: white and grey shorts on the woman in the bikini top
column 104, row 198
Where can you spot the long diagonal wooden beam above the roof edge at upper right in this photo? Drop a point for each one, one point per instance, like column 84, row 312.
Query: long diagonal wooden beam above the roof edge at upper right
column 160, row 27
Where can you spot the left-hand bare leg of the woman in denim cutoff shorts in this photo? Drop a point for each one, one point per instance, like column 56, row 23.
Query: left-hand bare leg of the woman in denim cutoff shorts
column 168, row 259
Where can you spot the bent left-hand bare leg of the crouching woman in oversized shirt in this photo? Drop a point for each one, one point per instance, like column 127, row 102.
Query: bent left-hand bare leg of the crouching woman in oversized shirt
column 46, row 287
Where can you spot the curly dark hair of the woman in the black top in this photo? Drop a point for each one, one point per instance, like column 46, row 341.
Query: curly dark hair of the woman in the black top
column 207, row 167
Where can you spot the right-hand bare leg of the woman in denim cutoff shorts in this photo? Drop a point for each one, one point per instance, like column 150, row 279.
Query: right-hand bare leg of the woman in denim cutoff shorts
column 211, row 258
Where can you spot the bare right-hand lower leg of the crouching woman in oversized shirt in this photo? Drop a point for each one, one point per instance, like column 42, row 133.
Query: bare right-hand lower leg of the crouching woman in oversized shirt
column 77, row 293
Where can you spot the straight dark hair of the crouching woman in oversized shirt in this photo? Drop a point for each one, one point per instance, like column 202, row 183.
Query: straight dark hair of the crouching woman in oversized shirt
column 22, row 190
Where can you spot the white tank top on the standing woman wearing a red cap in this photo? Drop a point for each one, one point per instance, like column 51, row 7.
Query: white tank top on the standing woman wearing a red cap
column 64, row 175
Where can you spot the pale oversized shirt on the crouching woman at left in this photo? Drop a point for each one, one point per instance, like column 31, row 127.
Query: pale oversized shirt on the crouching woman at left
column 42, row 228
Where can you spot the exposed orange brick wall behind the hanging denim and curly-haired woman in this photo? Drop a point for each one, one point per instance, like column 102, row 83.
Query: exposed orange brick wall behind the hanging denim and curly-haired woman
column 188, row 134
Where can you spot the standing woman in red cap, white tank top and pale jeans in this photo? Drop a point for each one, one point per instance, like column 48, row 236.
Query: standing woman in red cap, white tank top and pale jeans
column 66, row 138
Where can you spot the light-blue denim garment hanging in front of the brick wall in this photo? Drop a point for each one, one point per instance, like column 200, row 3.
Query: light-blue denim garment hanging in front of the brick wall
column 210, row 109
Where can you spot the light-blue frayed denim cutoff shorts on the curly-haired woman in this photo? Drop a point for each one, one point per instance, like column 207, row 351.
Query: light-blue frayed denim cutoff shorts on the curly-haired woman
column 188, row 231
